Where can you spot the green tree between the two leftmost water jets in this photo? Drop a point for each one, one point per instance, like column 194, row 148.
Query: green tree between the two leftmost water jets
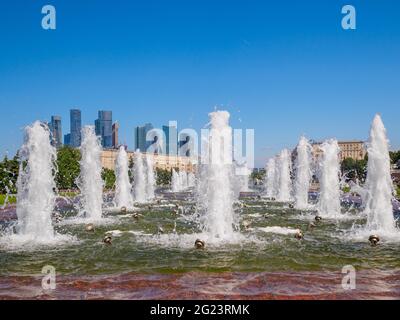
column 68, row 167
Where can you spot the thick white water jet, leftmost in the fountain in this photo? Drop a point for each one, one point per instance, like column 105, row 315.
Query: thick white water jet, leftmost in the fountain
column 36, row 198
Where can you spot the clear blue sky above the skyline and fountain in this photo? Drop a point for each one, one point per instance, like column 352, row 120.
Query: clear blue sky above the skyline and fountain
column 283, row 68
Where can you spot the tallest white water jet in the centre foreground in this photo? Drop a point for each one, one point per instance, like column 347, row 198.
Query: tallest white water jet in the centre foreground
column 216, row 180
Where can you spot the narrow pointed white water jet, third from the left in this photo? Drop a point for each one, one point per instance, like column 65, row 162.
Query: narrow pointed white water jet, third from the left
column 123, row 191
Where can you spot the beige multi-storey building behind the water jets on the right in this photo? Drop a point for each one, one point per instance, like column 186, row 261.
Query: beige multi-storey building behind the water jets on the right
column 348, row 149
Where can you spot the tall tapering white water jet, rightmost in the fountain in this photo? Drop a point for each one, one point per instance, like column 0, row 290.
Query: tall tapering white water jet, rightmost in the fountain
column 379, row 185
